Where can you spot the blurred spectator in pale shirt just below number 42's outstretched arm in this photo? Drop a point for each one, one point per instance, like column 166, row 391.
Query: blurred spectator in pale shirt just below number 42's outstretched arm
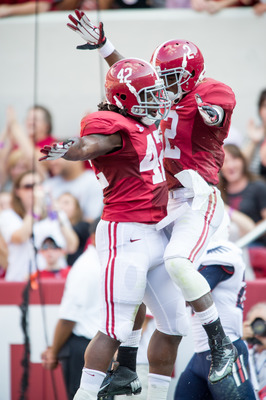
column 72, row 177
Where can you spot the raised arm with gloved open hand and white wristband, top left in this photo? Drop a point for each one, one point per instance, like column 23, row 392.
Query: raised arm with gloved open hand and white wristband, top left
column 94, row 37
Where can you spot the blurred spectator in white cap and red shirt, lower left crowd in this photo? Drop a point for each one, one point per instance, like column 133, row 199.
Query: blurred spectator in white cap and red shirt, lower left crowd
column 52, row 251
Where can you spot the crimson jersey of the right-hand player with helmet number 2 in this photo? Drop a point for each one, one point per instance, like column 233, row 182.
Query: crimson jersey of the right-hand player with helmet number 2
column 191, row 144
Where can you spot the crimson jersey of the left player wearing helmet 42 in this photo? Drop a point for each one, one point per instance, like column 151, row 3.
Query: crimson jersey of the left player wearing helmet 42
column 132, row 178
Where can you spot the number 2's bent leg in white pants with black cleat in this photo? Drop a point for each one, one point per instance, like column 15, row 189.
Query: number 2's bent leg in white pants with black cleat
column 190, row 236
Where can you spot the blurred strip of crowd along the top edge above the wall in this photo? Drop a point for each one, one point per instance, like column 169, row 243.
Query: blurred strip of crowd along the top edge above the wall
column 20, row 7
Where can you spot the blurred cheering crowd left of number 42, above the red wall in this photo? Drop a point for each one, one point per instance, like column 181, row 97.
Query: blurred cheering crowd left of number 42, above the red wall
column 45, row 210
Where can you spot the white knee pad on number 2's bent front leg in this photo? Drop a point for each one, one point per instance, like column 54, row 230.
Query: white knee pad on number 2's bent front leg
column 190, row 281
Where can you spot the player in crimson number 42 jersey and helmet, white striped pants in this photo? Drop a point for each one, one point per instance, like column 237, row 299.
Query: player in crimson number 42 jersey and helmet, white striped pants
column 125, row 150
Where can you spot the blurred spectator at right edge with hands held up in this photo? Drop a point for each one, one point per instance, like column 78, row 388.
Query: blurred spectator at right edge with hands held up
column 256, row 135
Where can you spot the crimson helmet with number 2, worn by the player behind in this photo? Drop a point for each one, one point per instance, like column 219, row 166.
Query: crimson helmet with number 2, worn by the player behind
column 180, row 63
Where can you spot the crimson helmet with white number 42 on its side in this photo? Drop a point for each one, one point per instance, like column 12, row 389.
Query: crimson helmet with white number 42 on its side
column 134, row 85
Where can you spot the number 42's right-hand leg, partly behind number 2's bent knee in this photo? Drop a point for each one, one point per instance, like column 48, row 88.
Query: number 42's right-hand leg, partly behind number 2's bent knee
column 166, row 303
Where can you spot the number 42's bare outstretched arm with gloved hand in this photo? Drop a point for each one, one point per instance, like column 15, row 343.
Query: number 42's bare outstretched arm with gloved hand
column 85, row 148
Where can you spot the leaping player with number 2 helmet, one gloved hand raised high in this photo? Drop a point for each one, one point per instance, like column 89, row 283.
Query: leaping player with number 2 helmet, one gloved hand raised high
column 193, row 134
